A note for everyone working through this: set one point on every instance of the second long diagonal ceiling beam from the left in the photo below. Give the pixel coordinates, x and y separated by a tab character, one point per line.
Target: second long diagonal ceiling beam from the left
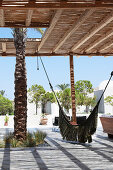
73	28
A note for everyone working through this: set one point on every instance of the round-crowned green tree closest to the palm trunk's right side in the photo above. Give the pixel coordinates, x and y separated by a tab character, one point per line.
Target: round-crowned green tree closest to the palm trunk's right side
36	93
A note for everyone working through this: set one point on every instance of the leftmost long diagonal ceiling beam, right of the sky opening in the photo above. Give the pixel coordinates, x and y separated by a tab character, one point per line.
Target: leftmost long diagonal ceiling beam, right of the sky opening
49	30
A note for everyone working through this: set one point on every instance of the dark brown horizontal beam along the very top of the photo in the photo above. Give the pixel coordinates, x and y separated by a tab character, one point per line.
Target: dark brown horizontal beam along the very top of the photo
56	5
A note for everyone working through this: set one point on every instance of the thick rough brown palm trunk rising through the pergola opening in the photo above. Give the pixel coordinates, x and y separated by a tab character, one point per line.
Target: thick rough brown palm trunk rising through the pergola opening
20	112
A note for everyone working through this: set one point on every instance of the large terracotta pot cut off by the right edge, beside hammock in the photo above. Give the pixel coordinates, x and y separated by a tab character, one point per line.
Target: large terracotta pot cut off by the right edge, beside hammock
107	124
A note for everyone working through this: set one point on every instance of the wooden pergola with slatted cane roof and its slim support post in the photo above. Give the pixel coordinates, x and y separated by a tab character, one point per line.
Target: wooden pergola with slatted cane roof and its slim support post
74	27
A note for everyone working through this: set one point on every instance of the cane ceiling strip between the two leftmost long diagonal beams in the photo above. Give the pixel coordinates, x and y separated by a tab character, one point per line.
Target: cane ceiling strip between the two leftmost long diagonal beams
63	25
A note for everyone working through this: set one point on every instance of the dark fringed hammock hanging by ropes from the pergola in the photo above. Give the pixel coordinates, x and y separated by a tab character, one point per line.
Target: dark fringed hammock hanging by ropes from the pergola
82	132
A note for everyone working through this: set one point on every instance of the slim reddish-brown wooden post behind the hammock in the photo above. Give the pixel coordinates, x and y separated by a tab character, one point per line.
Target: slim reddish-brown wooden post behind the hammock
72	90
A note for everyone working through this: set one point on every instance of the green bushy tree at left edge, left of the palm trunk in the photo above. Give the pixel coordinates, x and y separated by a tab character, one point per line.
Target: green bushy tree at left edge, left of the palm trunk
6	106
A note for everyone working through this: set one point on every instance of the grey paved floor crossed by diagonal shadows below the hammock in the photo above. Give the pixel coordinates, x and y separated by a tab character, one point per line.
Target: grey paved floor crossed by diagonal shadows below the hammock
60	155
